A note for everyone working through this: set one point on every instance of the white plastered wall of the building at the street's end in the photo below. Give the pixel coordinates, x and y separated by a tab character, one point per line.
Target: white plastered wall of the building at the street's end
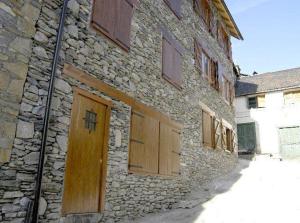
268	120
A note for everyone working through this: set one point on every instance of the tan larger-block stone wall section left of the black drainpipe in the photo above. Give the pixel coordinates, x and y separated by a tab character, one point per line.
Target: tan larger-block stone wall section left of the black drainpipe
17	27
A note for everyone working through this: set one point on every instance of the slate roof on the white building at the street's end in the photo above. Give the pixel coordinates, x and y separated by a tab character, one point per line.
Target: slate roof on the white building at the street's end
267	82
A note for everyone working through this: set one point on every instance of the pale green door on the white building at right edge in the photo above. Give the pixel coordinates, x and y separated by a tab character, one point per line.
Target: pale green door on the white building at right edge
290	142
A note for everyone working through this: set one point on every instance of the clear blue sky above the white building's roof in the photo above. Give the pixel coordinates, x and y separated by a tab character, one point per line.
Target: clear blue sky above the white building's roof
271	29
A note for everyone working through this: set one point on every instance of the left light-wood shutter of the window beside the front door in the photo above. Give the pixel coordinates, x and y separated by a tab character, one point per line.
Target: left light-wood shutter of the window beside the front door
144	143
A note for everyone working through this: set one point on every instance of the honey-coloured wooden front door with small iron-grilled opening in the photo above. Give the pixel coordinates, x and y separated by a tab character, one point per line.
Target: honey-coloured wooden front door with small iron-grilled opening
85	174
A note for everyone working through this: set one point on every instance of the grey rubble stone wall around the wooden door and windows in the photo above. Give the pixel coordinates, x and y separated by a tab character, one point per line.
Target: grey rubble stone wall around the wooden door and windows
137	73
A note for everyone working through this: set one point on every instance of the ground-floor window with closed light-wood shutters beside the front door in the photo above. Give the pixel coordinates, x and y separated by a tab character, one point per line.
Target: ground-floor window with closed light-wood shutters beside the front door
154	146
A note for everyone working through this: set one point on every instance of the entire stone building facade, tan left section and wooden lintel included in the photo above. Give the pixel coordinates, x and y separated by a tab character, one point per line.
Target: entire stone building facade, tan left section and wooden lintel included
28	36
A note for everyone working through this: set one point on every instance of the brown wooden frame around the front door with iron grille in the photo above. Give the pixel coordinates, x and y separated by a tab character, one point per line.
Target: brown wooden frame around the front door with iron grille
76	92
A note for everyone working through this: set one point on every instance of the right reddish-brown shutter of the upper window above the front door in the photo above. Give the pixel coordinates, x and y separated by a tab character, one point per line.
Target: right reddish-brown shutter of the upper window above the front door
124	12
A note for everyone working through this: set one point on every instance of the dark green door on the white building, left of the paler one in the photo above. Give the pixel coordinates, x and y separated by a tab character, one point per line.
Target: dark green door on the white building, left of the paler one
246	137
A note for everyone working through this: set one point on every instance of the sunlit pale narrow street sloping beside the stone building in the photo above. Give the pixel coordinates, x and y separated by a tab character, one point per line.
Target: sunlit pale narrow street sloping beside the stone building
262	191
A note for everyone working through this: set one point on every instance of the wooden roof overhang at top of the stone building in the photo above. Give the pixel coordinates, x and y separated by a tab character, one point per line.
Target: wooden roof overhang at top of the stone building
228	19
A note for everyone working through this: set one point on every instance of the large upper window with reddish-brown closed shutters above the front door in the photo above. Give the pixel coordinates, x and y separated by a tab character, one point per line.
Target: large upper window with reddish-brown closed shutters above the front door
113	19
